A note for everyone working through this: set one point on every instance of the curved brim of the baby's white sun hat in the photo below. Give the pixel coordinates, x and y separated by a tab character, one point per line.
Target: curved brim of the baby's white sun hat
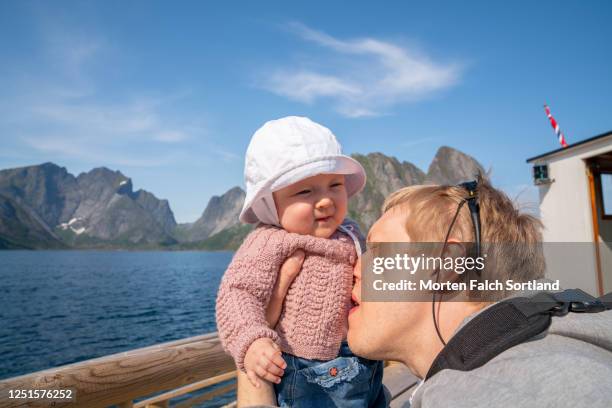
354	181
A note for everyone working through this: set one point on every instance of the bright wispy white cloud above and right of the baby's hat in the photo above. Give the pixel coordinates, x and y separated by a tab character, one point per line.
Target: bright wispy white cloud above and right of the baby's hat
376	76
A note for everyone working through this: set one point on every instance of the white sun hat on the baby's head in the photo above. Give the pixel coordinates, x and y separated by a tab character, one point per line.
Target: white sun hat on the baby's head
285	151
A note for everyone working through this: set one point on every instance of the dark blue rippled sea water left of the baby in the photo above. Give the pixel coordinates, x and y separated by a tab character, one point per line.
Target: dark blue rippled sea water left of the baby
61	307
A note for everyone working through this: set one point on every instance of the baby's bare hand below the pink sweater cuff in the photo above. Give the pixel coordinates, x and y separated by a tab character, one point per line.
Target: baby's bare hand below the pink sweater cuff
263	360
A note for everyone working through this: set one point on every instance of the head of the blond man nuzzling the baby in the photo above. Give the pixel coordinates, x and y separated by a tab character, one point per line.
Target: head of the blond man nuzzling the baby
405	330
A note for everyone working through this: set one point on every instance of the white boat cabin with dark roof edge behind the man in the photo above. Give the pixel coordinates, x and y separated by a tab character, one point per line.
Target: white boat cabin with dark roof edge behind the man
575	194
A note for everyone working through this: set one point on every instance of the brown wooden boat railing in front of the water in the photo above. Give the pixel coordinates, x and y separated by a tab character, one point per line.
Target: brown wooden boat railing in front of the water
158	373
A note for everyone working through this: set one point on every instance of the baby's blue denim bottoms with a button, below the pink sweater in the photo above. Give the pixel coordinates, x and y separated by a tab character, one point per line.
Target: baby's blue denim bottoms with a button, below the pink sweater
346	381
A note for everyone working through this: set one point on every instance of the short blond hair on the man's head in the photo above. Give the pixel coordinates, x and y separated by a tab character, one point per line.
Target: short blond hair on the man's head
430	210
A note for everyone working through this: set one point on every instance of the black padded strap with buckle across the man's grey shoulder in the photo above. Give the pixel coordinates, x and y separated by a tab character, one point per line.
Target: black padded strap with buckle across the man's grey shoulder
509	323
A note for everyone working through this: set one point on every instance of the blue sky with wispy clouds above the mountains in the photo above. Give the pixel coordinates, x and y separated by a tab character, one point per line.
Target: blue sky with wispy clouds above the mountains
169	93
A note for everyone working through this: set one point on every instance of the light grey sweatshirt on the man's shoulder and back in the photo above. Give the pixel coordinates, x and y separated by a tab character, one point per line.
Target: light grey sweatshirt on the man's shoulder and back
570	364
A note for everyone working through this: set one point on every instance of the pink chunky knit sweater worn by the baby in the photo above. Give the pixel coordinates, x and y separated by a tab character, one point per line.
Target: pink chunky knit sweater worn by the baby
313	321
